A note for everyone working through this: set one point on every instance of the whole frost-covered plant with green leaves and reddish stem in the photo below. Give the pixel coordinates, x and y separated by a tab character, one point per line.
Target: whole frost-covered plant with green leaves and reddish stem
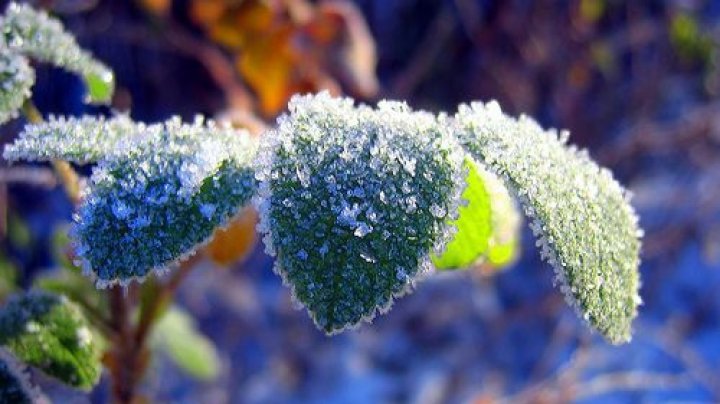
357	203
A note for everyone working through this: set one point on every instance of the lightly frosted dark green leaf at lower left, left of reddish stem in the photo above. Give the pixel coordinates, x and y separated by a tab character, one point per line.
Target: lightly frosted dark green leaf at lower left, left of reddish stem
49	332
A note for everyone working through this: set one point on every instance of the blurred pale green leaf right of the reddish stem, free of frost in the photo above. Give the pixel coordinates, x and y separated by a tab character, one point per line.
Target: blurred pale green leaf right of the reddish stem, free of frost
176	335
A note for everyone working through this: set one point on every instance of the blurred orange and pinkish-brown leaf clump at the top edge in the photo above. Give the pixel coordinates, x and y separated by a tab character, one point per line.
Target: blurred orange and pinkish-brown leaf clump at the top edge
282	48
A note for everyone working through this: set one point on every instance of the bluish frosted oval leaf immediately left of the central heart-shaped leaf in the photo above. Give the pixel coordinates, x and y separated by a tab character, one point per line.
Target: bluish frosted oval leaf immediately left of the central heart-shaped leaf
159	195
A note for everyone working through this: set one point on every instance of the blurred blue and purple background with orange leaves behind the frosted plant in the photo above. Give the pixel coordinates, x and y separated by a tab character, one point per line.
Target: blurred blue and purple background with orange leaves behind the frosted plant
636	83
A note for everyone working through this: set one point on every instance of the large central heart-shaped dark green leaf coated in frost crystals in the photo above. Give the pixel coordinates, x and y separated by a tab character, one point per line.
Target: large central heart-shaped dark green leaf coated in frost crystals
352	200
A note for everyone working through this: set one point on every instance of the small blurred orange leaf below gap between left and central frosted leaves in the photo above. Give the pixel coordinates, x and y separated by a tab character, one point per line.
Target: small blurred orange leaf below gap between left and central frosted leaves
236	241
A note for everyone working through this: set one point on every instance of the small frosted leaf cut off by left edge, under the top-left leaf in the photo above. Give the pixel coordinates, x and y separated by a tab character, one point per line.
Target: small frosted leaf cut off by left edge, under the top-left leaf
16	79
